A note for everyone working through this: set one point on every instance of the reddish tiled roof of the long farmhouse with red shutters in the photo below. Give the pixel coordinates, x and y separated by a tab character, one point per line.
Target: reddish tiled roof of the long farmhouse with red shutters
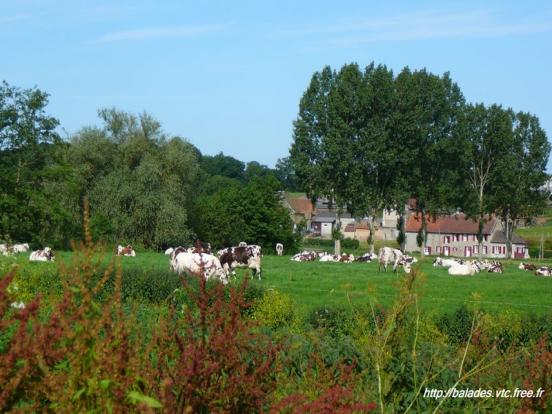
456	223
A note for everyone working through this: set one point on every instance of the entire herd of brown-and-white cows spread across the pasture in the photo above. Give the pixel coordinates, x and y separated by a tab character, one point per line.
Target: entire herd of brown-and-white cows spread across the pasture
200	260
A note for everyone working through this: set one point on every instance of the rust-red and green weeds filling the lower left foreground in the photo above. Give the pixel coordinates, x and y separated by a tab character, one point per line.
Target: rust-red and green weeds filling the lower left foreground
90	353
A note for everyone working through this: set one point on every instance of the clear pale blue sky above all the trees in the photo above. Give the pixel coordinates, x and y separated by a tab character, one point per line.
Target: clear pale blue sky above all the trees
228	75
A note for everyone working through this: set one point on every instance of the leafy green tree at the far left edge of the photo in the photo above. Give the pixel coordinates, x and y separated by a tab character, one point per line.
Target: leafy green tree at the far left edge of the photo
37	199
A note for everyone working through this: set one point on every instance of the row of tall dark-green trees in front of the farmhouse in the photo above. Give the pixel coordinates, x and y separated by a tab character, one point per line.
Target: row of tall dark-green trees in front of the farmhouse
370	139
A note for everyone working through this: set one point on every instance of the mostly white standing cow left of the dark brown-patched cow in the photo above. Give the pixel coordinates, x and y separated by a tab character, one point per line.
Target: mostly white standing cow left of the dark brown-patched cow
198	264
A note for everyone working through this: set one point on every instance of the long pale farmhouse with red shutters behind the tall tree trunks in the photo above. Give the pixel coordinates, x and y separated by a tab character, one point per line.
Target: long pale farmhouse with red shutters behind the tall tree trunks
456	235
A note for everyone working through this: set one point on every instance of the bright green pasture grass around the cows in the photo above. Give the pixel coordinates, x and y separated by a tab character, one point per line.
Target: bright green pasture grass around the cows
315	284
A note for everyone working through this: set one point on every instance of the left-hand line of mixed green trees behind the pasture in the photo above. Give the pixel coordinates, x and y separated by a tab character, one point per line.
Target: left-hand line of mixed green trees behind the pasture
143	186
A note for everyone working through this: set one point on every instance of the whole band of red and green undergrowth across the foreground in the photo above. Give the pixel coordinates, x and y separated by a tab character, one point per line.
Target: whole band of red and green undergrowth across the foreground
95	337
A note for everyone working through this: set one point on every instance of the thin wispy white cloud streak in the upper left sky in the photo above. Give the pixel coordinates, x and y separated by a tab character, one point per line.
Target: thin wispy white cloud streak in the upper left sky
160	32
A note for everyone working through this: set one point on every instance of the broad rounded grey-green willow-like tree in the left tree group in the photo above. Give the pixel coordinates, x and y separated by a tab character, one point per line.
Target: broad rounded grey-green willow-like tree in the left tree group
138	181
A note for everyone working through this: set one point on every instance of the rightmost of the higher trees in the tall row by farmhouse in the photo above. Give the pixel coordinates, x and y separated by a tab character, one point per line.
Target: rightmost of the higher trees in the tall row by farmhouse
427	119
